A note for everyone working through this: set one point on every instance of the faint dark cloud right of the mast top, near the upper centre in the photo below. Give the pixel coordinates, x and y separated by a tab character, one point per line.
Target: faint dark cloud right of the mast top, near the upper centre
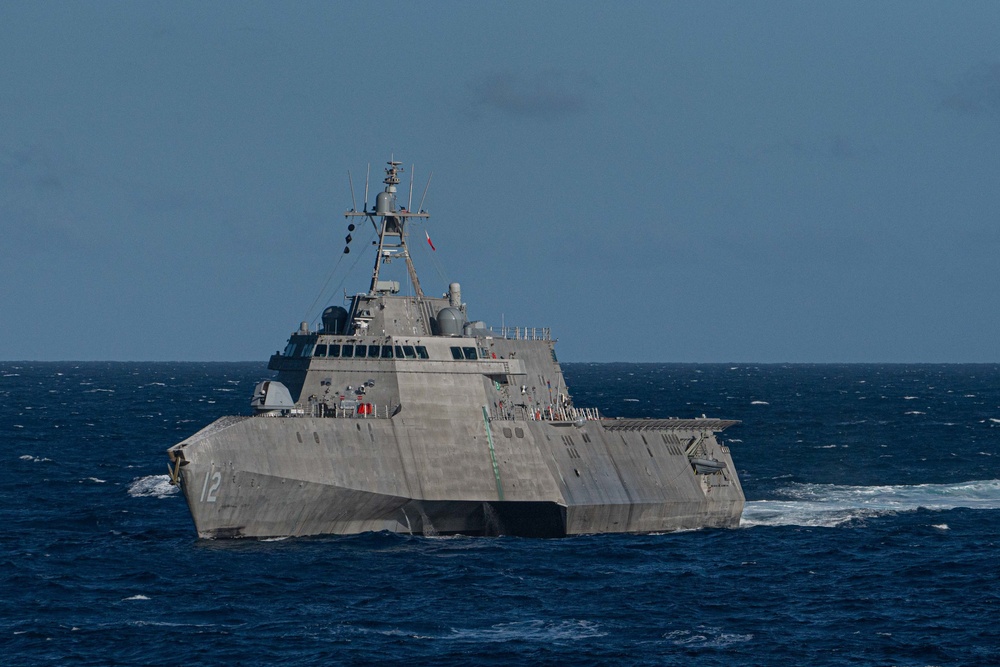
547	95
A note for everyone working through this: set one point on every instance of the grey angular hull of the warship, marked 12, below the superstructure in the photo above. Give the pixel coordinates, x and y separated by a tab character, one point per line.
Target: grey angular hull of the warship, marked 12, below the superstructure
267	477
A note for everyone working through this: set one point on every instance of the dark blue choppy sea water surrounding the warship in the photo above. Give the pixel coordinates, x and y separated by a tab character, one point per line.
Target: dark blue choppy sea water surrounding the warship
870	536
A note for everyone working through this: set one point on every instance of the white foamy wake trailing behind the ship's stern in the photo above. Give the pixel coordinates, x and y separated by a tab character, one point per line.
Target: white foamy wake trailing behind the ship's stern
833	504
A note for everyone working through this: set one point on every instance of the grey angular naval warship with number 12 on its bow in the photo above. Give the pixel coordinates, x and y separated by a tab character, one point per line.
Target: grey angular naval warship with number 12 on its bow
399	413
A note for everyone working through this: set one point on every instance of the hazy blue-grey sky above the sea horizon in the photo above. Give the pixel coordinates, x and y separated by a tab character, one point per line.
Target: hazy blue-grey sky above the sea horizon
763	182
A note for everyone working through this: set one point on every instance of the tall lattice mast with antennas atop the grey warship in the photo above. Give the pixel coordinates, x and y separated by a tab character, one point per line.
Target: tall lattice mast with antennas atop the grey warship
391	228
